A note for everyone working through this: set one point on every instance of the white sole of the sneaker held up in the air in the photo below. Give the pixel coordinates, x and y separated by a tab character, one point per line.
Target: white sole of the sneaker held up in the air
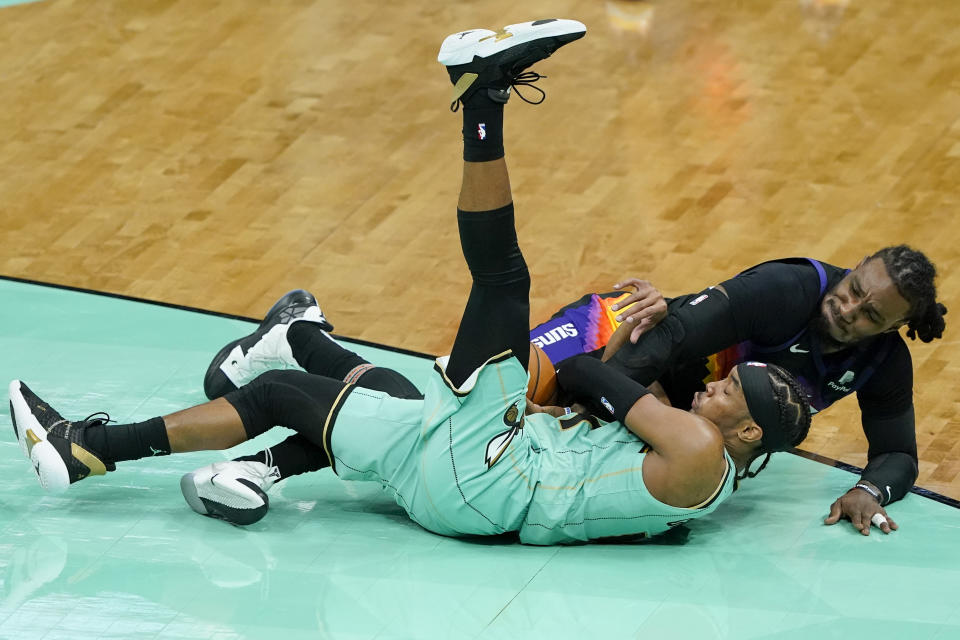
454	51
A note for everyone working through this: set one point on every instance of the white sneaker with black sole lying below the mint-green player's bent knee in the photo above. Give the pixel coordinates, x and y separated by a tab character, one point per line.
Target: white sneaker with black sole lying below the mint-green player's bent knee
235	490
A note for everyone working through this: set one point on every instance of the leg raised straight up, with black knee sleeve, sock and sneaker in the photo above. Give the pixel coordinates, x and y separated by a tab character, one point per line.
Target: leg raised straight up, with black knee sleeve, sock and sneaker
484	66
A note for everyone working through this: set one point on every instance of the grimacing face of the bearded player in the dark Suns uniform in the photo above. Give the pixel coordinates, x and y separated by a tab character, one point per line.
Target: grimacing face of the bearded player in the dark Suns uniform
865	303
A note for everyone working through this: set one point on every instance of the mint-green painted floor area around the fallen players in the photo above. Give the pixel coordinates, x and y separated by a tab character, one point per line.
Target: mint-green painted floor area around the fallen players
124	557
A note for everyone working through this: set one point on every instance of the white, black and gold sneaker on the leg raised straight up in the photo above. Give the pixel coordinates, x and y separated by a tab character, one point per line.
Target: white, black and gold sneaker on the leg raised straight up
494	61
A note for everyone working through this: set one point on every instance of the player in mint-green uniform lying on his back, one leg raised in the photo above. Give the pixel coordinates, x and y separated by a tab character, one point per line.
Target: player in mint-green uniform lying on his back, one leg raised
465	459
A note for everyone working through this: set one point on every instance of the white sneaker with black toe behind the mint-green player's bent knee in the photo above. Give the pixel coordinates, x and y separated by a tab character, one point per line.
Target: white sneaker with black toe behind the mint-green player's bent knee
265	349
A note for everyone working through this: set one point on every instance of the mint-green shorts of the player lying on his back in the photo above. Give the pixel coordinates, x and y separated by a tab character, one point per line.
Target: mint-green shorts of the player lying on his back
457	461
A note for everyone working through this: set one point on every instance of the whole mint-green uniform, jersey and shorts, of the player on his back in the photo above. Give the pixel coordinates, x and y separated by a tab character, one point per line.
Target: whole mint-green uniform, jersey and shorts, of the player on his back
468	462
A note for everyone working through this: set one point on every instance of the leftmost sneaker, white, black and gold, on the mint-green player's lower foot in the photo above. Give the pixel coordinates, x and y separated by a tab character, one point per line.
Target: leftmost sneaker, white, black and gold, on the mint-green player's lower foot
55	446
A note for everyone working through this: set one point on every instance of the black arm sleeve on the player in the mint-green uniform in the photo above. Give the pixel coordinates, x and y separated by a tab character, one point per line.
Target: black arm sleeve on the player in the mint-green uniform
599	385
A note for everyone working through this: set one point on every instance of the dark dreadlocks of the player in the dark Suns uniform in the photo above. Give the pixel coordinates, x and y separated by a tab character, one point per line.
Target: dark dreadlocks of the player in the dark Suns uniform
913	274
